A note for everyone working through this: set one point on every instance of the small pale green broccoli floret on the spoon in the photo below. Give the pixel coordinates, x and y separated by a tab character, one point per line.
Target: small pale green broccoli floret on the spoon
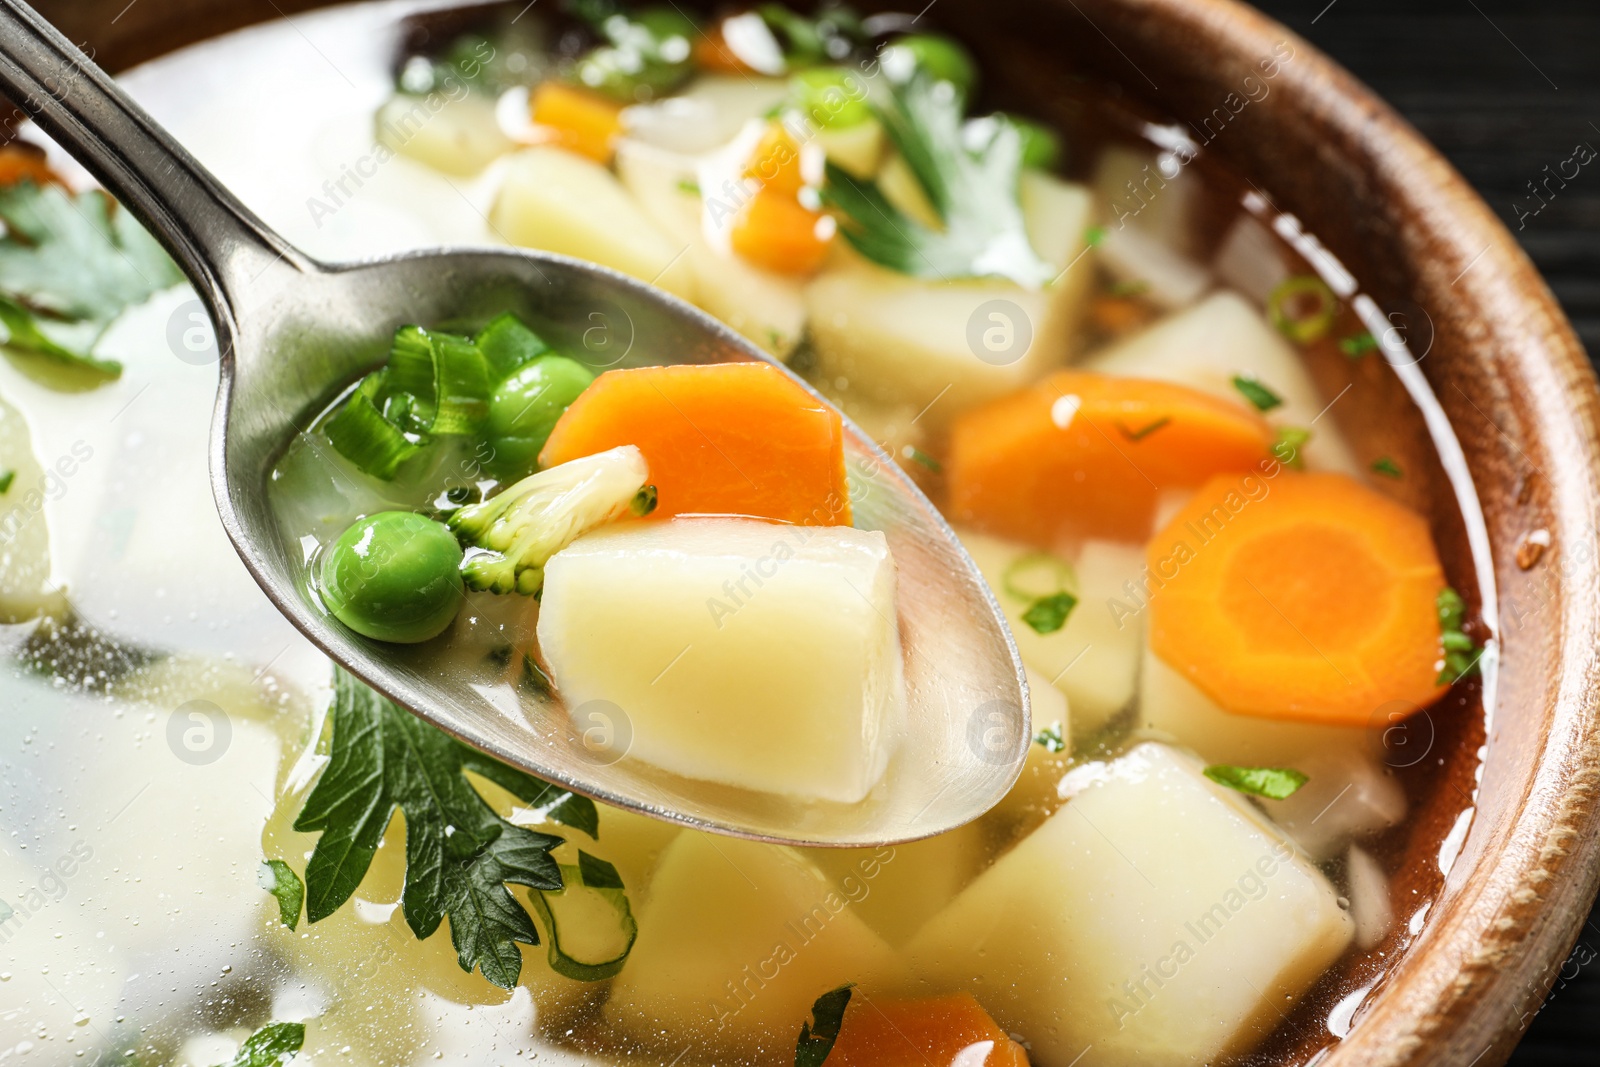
513	535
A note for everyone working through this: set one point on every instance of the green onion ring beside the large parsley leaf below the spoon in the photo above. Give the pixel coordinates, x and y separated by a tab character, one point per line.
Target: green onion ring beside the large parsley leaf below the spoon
590	922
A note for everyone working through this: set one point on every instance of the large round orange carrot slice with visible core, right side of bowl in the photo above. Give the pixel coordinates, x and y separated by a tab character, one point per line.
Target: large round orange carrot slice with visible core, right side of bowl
1303	597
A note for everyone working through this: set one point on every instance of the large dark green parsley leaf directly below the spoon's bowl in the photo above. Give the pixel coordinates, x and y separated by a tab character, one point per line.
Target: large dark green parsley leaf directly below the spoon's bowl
460	853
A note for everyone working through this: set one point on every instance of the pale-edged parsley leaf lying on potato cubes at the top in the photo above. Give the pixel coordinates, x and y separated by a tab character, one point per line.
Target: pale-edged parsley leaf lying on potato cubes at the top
970	174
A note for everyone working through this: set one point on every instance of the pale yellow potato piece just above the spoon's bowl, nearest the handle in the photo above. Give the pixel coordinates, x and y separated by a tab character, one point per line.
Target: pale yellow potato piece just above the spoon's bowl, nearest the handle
562	202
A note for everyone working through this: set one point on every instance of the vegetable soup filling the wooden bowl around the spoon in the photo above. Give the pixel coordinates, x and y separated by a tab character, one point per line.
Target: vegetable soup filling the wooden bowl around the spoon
1119	372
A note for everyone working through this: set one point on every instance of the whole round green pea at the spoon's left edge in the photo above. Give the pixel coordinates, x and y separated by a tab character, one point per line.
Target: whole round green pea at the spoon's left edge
394	577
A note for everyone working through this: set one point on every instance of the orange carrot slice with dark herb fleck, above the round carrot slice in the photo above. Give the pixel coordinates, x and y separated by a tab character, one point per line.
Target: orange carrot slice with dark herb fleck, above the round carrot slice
1084	455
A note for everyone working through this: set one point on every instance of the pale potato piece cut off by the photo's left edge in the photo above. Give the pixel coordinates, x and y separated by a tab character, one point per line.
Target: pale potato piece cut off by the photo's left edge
26	588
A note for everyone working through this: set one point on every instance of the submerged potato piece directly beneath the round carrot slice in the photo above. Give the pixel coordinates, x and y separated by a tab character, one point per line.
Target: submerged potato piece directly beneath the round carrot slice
1175	709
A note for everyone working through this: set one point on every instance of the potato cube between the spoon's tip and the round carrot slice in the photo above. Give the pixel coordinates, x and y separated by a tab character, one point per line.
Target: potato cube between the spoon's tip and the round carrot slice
1095	657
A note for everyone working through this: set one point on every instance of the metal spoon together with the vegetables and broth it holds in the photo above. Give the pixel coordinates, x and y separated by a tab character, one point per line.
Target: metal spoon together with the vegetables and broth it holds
570	519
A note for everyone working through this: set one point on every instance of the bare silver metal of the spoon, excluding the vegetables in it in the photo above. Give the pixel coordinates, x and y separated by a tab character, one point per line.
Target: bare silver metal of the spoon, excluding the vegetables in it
294	334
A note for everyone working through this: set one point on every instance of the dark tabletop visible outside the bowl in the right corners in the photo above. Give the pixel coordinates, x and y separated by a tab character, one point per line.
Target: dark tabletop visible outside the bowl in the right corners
1505	89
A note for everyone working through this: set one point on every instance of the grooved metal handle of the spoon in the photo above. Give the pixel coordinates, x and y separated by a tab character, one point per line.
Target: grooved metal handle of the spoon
217	241
